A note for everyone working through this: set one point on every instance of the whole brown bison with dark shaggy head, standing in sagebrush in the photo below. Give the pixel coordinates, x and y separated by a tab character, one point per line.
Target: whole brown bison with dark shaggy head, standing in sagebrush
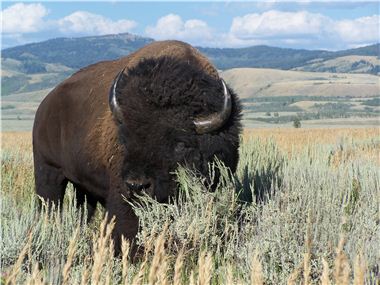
121	127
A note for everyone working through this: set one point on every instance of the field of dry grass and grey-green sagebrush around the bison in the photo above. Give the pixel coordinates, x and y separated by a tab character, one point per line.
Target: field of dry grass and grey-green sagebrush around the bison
303	208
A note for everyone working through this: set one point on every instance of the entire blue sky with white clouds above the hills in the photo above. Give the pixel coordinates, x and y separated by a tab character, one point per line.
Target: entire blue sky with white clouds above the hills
311	25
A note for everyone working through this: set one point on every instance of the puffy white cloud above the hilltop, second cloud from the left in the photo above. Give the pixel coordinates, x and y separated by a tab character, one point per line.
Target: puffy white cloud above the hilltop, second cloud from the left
82	22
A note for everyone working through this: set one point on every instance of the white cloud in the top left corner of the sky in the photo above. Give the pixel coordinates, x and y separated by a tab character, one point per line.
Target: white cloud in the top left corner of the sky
23	18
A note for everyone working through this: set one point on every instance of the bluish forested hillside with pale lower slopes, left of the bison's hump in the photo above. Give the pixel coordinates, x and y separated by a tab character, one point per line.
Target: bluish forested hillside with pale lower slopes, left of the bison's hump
37	66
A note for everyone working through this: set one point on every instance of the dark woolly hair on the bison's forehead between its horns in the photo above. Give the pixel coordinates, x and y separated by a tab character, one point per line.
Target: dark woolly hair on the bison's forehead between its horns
172	87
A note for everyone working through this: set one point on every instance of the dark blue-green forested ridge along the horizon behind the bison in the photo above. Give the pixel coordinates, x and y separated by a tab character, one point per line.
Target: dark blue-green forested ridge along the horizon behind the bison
79	52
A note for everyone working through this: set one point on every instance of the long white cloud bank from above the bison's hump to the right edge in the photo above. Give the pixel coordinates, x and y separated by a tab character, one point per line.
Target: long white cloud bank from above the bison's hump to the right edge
301	29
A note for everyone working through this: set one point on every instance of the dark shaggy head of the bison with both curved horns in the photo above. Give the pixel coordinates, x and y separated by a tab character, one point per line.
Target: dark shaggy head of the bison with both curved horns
171	112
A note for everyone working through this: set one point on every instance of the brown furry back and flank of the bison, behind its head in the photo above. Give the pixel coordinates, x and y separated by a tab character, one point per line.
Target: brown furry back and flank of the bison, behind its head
74	128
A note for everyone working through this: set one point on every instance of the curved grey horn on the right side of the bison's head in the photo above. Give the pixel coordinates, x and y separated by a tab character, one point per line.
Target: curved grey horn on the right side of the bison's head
217	120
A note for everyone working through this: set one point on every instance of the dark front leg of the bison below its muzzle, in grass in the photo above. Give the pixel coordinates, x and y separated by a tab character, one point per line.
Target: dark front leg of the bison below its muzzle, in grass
126	222
